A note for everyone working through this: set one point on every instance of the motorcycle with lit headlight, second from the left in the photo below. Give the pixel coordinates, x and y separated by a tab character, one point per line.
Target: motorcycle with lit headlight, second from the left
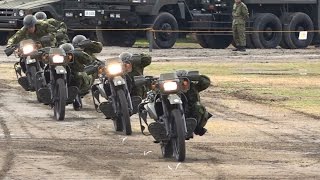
57	74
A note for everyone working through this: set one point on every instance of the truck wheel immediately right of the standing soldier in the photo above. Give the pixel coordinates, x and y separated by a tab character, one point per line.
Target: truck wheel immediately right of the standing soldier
268	23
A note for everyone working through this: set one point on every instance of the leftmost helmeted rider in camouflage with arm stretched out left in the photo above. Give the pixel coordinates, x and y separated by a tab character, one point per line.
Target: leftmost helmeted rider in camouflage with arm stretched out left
35	30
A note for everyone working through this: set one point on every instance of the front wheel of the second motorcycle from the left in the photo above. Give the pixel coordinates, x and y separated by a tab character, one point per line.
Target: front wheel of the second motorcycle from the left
60	99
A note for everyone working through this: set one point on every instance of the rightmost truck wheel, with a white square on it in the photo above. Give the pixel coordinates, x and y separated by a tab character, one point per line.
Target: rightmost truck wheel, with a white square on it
298	22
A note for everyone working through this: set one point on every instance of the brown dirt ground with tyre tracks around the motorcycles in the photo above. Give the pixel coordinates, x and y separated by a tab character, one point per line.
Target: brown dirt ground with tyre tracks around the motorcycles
246	140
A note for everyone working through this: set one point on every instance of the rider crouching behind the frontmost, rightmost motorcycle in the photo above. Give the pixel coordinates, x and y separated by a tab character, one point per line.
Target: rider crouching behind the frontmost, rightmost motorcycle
193	106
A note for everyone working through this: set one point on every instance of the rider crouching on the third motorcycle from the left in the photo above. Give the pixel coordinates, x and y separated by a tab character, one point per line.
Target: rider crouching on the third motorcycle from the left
139	62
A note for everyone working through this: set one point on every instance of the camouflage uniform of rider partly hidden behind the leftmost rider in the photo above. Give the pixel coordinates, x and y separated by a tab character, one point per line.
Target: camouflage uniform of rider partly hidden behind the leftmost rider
61	28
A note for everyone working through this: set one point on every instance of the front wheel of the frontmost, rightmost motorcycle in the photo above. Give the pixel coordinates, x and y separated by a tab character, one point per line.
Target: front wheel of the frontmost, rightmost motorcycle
178	142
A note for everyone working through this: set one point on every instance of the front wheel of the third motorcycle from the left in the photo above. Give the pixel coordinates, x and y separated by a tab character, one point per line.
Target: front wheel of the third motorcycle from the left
124	114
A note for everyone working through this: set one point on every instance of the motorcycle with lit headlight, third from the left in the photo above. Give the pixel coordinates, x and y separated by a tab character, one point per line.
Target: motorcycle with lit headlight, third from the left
113	87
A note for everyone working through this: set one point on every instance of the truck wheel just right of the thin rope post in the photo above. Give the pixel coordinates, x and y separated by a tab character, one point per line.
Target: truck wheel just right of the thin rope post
165	40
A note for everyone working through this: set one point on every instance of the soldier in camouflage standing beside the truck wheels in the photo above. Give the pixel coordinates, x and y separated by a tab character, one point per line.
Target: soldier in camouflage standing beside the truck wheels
240	14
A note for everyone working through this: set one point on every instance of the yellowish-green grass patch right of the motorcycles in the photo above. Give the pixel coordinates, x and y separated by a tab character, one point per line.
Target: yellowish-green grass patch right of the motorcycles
291	85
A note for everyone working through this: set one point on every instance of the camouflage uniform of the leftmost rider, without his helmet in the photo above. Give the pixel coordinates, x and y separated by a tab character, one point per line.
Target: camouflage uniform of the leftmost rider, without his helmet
42	29
